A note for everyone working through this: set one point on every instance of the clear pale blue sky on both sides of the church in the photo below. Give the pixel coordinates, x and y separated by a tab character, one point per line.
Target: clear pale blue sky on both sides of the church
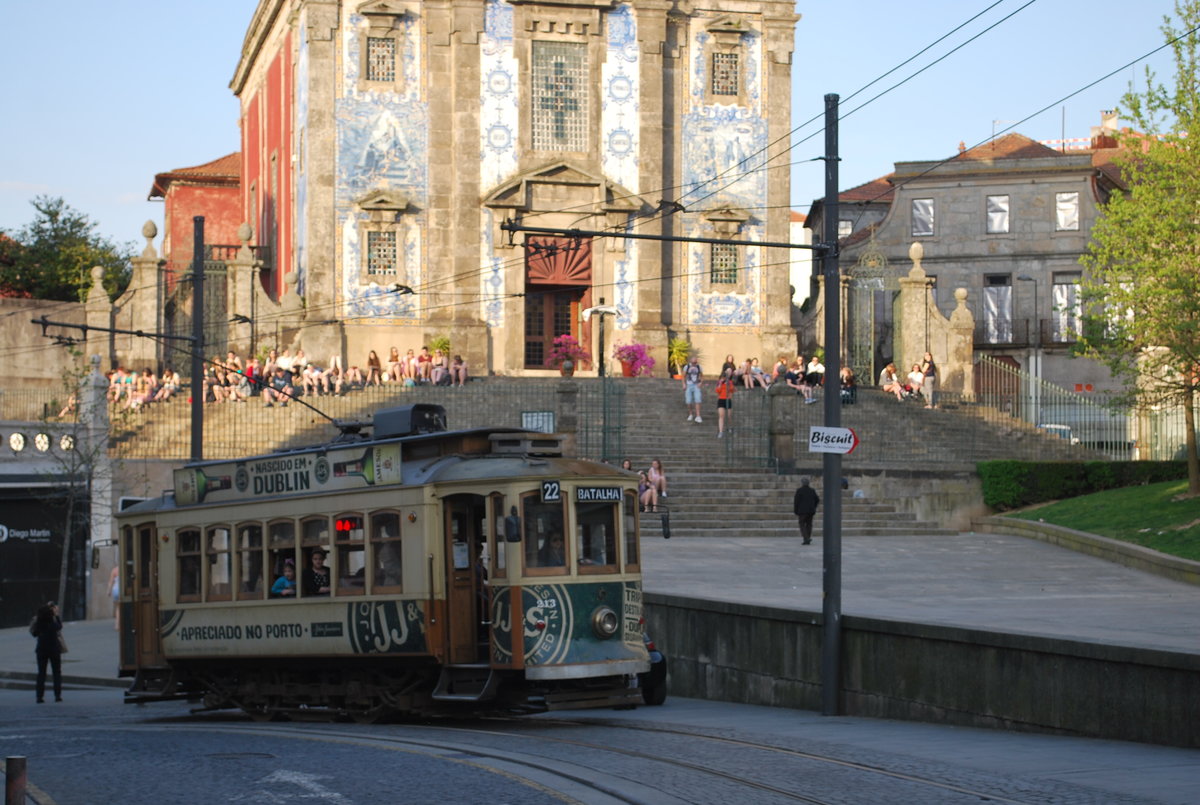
106	95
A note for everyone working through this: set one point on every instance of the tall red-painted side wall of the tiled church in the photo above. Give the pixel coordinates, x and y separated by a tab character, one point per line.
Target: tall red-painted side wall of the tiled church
268	127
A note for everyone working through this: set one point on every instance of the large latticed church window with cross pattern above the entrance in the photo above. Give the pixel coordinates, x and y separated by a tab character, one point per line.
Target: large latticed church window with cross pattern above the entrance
560	97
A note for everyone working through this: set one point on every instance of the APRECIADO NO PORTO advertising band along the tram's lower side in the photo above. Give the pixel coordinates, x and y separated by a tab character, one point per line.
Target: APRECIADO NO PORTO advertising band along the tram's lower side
298	629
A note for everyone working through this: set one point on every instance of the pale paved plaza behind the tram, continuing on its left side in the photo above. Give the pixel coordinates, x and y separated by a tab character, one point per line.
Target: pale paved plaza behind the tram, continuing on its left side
982	581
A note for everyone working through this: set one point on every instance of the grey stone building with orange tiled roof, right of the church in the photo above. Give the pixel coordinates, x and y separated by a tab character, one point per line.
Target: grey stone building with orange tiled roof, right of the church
1009	223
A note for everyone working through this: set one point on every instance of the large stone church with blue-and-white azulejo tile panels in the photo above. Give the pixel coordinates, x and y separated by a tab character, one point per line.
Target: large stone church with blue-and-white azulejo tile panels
383	145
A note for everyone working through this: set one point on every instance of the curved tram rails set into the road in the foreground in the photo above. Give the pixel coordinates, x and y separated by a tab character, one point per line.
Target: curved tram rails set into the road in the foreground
592	783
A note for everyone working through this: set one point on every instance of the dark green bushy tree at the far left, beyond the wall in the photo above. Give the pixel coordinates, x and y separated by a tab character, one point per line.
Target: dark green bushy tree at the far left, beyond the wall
53	256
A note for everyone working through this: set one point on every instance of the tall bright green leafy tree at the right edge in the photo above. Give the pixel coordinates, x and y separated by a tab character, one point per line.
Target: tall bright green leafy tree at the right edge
1142	290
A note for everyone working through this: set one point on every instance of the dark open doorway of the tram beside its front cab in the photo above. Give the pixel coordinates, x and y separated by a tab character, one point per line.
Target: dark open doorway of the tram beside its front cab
466	603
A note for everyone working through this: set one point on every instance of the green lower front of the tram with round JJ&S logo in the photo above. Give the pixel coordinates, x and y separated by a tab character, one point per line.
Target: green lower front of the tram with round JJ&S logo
565	612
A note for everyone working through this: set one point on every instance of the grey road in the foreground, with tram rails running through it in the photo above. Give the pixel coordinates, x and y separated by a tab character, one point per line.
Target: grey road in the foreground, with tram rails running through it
93	749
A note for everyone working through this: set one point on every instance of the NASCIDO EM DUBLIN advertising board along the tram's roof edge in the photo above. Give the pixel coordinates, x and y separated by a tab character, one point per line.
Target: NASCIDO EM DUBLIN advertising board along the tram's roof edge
301	473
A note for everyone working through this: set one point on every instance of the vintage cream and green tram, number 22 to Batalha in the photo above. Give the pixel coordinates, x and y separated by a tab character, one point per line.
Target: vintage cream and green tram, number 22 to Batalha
431	570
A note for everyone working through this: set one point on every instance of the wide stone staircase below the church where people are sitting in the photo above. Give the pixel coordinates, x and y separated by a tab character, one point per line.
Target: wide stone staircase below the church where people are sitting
717	486
